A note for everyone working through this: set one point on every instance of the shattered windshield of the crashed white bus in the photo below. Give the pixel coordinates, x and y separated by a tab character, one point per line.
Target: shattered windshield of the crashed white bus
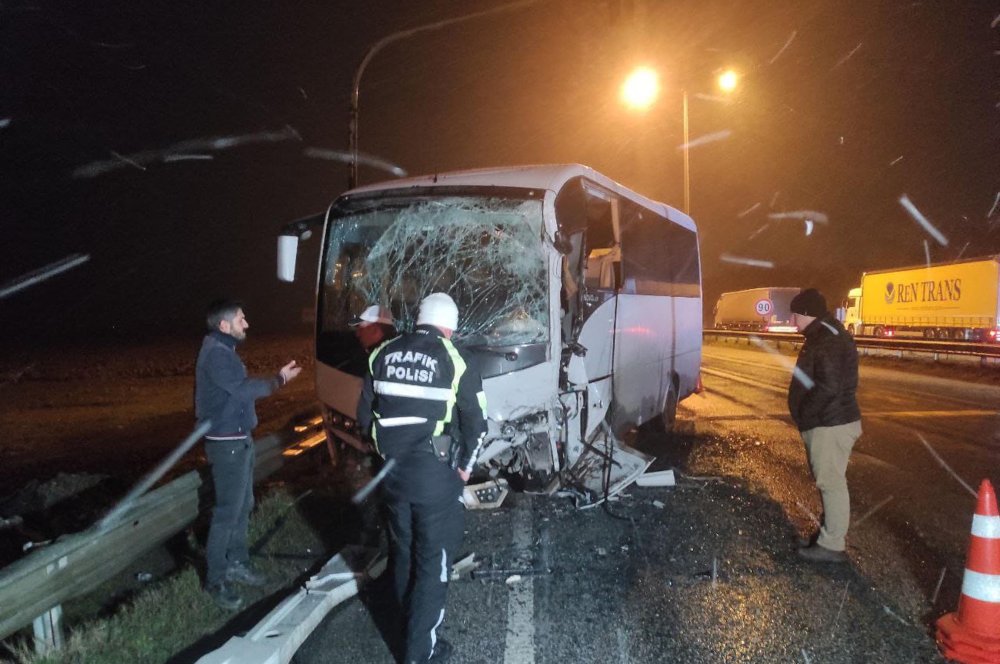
484	251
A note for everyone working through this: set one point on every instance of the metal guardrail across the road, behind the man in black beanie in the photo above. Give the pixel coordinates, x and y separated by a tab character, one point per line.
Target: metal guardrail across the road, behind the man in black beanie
957	352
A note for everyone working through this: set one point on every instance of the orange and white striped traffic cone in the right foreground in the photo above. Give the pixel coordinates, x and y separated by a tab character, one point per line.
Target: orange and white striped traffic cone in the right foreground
972	634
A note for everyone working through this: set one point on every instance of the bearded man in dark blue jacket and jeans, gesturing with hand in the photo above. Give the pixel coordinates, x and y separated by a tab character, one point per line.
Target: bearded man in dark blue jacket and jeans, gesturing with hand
225	395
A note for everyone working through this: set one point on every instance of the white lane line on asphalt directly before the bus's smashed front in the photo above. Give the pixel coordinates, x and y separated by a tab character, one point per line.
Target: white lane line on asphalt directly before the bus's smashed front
519	647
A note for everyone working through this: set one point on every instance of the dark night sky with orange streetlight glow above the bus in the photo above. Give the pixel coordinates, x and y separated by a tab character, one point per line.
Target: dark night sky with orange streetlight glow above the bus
844	106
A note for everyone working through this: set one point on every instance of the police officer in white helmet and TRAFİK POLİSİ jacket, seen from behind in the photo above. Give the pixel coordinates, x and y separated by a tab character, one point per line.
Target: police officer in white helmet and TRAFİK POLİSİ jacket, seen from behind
423	405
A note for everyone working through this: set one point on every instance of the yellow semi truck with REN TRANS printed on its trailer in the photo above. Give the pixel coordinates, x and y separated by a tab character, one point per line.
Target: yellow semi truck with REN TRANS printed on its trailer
958	300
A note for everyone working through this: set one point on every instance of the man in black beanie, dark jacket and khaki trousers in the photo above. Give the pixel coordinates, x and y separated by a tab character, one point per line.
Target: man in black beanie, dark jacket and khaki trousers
823	405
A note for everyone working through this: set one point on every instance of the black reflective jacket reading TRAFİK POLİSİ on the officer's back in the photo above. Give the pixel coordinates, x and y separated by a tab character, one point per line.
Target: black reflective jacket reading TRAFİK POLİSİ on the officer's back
418	386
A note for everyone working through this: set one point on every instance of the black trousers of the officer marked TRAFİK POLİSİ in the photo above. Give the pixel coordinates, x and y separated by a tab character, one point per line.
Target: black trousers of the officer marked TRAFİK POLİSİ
424	539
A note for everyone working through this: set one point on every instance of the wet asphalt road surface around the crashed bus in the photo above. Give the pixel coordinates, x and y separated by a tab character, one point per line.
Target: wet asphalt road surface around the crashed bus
705	571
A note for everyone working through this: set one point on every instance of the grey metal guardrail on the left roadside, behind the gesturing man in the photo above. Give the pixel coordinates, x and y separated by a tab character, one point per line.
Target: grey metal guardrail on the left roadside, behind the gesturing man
77	563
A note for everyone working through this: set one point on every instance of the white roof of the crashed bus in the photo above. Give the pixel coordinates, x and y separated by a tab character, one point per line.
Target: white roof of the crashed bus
550	177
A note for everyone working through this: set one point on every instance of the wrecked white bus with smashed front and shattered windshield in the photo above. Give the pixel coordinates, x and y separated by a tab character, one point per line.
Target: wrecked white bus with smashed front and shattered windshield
580	298
